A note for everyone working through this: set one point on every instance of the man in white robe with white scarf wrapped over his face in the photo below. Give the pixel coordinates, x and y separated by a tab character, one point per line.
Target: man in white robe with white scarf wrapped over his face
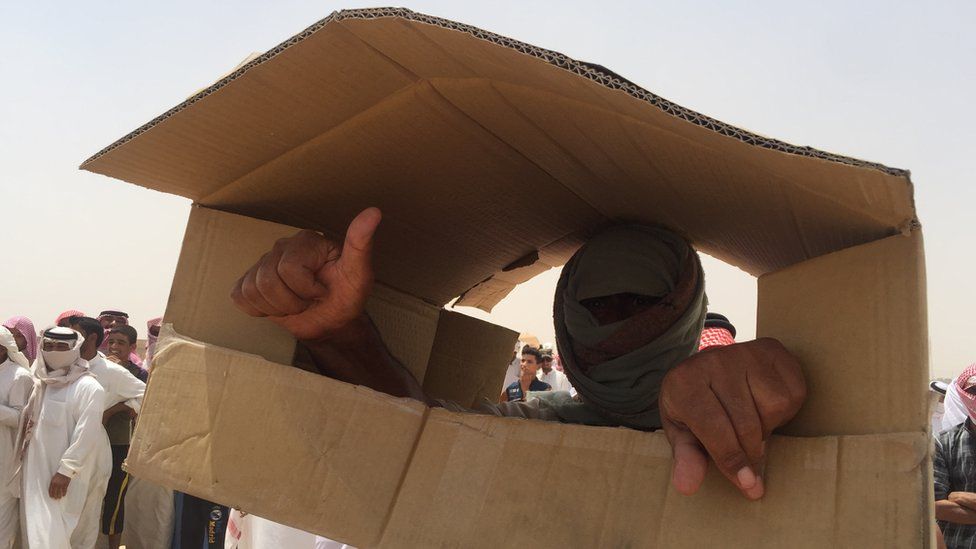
62	443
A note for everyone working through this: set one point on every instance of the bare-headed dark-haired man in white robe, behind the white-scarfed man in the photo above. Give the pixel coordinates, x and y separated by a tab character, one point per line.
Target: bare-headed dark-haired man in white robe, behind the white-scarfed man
123	395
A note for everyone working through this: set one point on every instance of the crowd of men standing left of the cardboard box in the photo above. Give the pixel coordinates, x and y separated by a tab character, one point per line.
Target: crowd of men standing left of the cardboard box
69	398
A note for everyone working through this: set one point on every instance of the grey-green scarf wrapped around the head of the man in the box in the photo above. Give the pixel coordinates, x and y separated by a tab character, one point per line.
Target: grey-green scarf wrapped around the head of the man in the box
617	368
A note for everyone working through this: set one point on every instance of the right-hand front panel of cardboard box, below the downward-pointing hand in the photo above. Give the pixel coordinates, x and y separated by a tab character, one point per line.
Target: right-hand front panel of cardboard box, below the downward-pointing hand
496	457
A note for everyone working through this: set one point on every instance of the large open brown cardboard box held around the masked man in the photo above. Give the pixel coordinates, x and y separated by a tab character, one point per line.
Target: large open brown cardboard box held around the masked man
459	135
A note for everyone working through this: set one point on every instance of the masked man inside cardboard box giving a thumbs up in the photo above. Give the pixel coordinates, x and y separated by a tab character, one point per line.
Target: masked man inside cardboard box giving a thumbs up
628	312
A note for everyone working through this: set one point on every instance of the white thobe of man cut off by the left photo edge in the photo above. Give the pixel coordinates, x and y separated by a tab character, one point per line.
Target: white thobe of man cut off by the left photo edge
16	384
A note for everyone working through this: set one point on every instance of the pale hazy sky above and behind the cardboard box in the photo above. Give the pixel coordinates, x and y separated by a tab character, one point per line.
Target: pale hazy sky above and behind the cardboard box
890	82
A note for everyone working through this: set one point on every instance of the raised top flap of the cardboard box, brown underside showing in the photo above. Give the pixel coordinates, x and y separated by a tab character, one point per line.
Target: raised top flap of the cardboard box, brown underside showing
458	135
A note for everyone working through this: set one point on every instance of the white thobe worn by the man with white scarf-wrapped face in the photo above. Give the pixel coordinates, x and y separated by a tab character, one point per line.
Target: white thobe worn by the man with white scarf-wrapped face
68	439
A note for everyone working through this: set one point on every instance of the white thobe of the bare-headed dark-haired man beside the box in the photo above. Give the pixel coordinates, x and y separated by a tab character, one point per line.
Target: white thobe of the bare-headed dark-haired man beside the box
120	386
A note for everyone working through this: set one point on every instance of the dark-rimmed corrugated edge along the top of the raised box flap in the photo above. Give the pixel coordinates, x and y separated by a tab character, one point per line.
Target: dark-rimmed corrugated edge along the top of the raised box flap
590	71
